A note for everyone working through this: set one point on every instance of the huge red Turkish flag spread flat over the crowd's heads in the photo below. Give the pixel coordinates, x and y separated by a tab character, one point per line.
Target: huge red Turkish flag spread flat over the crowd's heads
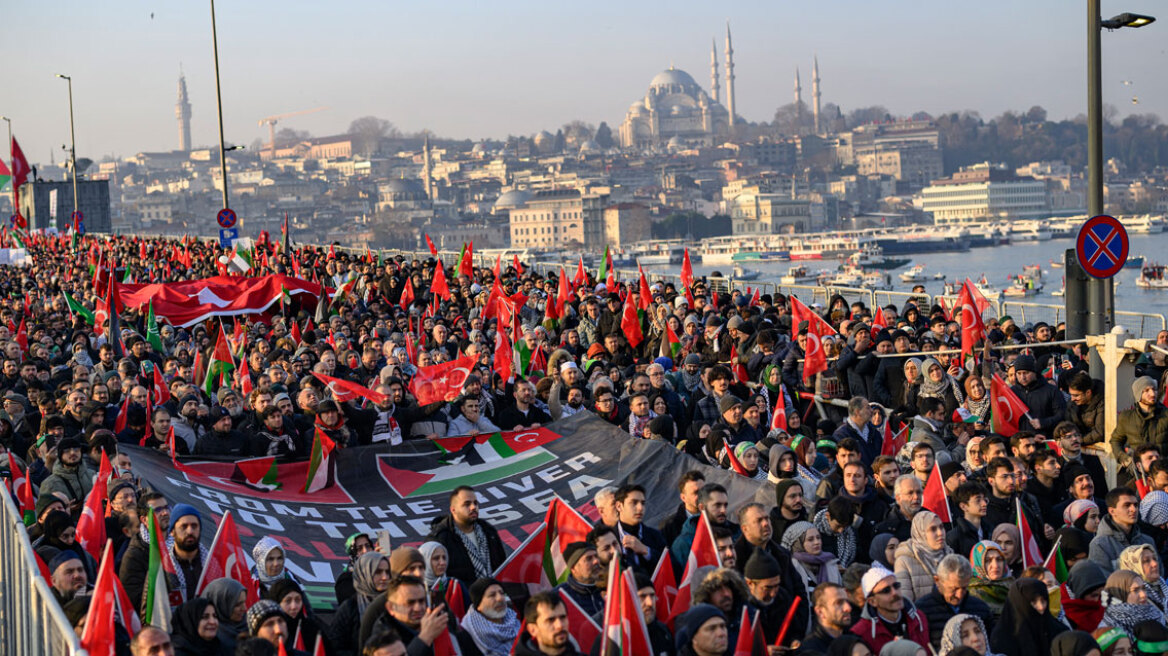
189	303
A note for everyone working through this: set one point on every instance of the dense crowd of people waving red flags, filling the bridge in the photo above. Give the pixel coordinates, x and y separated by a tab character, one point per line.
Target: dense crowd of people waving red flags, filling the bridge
845	562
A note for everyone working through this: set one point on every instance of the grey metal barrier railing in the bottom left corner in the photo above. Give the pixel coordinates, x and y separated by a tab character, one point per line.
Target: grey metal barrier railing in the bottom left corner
31	620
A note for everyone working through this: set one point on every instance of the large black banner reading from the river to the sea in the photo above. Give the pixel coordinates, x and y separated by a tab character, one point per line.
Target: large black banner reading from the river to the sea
404	490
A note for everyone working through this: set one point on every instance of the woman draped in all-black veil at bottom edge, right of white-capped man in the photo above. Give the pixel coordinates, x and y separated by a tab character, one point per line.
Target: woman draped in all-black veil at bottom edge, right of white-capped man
1026	627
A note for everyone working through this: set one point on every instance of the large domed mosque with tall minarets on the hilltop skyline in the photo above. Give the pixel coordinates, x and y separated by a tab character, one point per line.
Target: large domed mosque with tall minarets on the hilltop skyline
677	113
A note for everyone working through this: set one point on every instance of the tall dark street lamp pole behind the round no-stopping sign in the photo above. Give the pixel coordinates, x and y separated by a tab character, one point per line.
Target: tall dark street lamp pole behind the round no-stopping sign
1101	294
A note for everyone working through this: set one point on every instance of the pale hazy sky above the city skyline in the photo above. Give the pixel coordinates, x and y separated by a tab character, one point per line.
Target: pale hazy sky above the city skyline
491	69
